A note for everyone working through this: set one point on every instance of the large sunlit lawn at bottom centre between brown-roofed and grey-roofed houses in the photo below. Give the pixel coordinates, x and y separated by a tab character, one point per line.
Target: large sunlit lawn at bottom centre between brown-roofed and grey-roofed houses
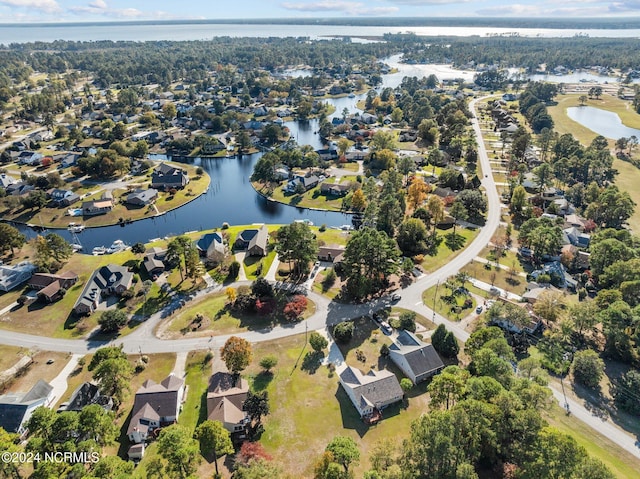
309	408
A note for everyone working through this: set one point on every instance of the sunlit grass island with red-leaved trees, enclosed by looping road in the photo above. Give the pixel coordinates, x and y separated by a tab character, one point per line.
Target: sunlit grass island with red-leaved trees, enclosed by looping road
218	319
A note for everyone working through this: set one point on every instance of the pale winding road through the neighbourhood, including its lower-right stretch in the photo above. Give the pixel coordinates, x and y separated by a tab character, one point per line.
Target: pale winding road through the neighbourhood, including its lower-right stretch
328	313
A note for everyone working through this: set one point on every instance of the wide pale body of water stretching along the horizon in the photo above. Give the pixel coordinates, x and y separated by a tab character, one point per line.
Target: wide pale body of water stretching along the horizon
145	32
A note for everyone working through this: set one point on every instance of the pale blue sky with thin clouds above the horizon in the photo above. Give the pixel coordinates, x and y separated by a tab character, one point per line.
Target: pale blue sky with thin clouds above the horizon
29	11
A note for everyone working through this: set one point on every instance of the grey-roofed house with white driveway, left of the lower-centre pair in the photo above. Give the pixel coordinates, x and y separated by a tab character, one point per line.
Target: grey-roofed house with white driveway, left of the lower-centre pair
372	392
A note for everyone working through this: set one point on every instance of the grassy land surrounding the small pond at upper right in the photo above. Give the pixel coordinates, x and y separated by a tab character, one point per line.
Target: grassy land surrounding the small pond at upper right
629	175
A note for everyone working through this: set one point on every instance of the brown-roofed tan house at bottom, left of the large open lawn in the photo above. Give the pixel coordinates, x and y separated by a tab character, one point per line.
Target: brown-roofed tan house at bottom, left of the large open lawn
225	402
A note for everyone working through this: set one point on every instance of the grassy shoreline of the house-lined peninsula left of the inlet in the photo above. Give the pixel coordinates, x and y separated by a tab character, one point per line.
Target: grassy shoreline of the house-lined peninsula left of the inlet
56	217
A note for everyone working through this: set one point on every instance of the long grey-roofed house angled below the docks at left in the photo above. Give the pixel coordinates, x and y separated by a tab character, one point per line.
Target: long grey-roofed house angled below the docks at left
107	280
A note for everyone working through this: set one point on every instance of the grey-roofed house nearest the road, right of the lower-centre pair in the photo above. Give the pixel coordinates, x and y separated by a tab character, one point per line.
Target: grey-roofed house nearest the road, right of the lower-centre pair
417	360
